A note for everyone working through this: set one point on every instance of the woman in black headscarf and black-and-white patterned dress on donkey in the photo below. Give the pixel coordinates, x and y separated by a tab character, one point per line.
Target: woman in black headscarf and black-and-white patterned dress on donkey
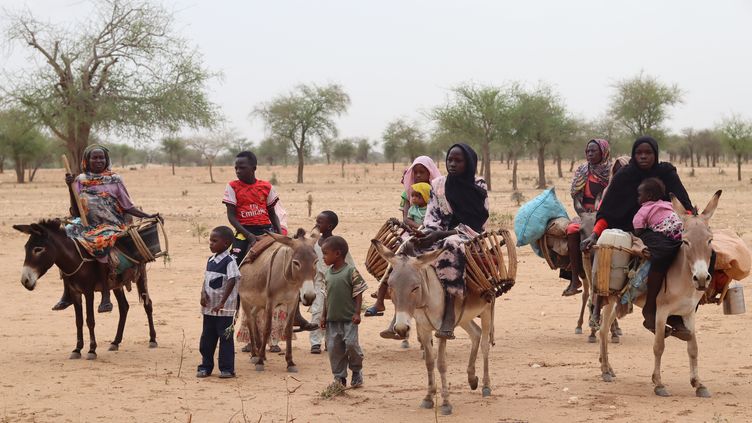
456	213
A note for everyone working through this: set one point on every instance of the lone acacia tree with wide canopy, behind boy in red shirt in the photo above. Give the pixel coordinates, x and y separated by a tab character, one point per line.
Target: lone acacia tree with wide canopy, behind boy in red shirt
305	114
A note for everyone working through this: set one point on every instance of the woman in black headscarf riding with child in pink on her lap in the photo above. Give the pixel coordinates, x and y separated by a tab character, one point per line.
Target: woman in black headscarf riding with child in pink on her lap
619	207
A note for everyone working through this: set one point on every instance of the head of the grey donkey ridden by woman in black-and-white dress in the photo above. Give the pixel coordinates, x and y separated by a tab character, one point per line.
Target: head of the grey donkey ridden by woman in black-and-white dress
407	283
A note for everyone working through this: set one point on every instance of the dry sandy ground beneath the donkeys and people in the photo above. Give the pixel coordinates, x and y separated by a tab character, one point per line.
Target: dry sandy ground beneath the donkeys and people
540	370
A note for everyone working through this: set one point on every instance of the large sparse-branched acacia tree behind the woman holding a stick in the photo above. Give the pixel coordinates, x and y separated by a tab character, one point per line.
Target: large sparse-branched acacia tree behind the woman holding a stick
122	68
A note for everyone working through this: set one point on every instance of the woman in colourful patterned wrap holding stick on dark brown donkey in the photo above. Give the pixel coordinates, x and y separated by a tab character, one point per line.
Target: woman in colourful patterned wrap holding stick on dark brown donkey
105	203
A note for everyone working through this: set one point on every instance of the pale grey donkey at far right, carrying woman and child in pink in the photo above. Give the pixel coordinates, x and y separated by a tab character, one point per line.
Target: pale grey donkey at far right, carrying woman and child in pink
686	282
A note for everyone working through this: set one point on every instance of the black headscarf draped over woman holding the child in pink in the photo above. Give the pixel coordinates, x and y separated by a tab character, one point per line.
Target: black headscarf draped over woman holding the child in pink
620	204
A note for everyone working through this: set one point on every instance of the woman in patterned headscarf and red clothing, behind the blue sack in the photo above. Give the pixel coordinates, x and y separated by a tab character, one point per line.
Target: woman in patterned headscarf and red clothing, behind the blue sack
590	181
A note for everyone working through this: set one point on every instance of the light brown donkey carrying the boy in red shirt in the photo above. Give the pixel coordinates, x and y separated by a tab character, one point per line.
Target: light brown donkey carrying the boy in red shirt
281	275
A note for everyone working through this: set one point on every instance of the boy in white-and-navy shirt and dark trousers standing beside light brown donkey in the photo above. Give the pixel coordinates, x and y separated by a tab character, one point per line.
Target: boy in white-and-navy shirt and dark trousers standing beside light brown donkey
219	299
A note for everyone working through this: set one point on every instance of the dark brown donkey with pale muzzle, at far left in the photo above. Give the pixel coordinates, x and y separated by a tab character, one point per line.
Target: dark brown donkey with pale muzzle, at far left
47	245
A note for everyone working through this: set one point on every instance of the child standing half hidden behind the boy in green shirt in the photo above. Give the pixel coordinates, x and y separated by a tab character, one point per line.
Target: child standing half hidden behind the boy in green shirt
326	221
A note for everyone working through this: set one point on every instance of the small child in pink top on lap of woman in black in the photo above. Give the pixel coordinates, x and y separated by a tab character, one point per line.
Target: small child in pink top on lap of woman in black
656	214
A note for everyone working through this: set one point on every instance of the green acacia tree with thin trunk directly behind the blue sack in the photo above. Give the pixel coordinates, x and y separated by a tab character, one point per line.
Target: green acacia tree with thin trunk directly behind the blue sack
543	121
